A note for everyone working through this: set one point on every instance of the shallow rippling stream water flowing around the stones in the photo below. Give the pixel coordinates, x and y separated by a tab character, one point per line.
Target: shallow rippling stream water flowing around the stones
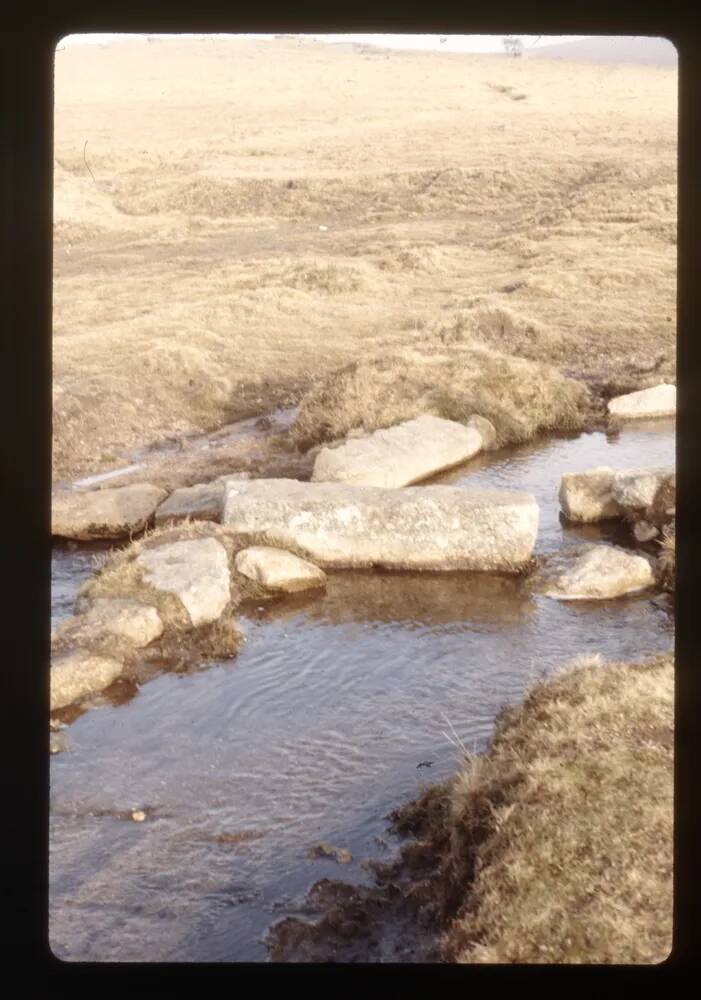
314	732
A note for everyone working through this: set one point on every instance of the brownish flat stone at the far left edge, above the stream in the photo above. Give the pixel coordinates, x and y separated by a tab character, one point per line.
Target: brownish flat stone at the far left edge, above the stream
113	513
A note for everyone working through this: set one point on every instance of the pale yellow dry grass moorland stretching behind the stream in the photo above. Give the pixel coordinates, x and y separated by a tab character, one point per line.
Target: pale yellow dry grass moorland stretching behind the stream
258	213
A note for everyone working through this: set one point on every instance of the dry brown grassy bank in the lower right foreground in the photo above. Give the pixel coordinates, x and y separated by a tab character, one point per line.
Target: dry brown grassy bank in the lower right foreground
556	846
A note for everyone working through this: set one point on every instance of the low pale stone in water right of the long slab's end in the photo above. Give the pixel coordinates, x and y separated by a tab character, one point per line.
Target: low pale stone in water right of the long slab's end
601	573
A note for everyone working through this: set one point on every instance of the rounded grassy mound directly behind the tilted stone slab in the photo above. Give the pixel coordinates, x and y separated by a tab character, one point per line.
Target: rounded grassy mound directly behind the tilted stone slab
522	398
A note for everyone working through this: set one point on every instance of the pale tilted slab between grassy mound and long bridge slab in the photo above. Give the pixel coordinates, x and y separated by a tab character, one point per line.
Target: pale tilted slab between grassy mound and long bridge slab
400	455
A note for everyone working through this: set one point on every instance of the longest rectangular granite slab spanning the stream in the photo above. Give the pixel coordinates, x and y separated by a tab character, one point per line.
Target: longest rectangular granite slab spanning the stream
422	527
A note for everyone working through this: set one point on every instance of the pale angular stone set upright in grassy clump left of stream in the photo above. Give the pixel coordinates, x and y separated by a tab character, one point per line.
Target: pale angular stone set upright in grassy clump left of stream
195	570
